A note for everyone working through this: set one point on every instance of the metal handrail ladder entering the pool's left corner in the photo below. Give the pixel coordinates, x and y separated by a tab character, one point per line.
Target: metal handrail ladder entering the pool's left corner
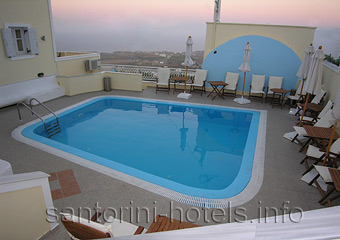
51	128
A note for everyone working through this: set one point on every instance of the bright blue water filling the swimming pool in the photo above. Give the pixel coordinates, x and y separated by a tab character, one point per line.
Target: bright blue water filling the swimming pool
196	150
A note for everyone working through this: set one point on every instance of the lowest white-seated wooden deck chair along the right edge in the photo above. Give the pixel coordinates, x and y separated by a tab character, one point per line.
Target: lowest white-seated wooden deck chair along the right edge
324	173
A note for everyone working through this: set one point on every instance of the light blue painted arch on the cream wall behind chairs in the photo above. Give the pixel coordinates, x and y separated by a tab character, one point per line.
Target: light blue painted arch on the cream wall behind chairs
268	57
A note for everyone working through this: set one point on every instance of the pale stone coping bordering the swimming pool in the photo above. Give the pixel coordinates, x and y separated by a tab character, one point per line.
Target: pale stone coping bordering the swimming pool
246	195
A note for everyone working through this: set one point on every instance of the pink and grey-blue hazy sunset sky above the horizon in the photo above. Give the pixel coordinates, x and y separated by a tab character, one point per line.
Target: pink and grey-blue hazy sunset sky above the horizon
156	25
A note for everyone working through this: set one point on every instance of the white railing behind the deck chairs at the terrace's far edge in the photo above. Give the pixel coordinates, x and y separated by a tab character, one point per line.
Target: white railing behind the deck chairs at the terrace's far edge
148	73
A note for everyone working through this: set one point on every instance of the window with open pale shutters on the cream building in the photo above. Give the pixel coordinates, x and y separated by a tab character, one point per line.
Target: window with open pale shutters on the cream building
20	41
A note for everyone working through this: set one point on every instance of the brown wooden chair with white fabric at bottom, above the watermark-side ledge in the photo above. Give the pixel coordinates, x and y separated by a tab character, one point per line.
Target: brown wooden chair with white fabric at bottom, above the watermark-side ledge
80	228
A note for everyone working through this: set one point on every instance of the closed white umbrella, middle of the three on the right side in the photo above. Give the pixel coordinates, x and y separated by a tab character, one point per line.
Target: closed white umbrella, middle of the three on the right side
314	76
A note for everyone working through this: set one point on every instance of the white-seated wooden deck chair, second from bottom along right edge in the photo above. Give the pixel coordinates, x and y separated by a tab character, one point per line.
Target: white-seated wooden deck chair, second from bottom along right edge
317	155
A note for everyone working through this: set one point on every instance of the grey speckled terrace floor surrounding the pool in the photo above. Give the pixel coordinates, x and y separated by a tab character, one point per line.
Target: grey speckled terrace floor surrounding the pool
281	181
